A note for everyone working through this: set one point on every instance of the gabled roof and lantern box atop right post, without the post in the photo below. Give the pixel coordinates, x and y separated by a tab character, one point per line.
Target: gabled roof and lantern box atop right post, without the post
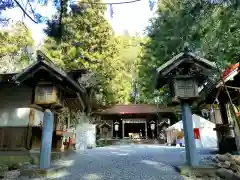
185	74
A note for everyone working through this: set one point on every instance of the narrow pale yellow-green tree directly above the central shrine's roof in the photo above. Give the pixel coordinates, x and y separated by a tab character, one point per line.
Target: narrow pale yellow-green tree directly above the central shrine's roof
129	49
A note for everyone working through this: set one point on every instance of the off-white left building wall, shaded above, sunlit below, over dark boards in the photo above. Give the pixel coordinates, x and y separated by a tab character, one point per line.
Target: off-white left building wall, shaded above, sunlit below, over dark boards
14	103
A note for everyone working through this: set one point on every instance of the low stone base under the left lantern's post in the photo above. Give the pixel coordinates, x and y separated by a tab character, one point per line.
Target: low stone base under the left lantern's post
37	172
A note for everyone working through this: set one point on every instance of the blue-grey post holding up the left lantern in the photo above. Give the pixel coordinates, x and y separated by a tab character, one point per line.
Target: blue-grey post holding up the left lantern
46	145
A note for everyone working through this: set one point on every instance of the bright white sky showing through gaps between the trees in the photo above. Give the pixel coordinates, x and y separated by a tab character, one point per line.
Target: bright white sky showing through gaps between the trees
133	17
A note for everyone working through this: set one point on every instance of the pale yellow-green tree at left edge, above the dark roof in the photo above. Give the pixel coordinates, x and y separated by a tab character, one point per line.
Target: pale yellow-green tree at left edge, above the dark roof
16	48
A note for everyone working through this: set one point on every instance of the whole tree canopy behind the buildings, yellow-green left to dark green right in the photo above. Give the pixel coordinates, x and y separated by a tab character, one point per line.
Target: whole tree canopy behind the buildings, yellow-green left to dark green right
126	64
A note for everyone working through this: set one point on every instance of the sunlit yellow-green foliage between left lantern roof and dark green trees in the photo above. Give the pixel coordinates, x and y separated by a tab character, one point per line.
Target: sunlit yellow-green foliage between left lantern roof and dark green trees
88	41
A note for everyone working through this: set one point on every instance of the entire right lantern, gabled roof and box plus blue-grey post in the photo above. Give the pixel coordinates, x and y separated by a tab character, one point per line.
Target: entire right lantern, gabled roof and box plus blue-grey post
186	74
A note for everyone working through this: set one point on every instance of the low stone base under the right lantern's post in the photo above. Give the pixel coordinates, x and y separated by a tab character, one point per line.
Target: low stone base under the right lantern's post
198	171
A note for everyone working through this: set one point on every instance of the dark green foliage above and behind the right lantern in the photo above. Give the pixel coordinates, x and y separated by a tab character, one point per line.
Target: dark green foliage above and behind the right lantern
209	30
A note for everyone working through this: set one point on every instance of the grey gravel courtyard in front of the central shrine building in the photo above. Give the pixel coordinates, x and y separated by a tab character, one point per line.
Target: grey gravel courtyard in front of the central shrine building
129	162
